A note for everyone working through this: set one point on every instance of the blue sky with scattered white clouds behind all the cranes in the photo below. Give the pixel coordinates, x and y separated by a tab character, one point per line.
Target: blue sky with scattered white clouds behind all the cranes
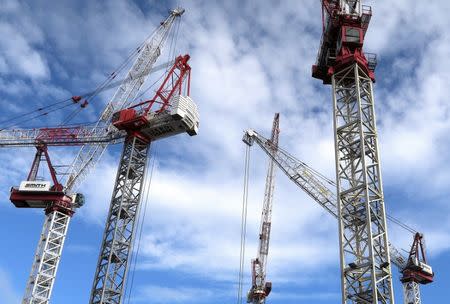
249	60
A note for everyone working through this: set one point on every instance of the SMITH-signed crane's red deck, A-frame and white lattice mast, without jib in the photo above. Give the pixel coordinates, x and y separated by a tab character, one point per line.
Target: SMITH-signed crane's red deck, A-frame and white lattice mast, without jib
59	209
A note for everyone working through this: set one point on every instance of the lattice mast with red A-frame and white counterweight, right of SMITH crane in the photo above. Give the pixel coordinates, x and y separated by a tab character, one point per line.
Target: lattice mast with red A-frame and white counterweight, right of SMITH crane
176	114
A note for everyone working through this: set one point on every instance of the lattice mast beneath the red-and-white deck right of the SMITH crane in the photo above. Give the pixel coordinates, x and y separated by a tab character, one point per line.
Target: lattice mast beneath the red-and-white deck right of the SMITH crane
112	267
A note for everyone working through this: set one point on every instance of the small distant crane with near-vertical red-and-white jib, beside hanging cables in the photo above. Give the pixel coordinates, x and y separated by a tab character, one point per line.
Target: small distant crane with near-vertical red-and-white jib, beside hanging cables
260	287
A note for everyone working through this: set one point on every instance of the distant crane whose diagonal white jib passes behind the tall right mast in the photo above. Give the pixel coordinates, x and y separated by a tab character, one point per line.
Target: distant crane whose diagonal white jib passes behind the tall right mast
414	269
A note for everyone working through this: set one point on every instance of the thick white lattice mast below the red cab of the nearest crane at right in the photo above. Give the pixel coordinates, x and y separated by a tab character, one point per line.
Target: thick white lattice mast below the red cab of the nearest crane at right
365	263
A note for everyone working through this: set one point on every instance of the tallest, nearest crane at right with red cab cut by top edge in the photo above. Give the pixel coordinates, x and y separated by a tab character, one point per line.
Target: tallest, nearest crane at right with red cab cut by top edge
366	275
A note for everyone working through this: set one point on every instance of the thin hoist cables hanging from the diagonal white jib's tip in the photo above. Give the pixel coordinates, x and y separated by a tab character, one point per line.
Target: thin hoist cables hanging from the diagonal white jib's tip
243	225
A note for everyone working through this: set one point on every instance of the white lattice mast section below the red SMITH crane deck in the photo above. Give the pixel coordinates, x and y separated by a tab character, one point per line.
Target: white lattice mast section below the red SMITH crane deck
47	257
